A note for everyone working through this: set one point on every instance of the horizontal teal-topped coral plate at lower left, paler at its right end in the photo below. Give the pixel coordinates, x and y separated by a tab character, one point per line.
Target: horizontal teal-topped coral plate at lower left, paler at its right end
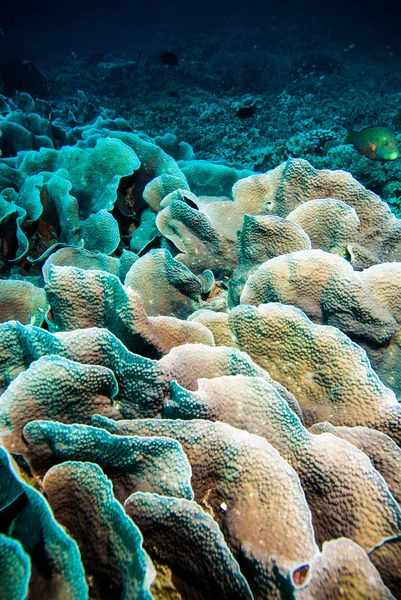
155	465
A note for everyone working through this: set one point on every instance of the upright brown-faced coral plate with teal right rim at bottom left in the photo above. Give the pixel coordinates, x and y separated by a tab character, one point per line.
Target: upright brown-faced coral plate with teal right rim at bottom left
80	495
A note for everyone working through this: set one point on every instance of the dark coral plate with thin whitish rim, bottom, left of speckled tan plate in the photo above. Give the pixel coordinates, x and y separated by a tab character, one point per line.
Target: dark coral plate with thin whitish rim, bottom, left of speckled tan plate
182	535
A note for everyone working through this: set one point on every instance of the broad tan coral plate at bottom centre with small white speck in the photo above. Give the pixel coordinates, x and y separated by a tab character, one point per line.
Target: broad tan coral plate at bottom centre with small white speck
241	478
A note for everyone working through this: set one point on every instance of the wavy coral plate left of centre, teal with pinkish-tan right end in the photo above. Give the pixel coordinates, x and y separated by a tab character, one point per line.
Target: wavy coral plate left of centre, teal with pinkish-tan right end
98	299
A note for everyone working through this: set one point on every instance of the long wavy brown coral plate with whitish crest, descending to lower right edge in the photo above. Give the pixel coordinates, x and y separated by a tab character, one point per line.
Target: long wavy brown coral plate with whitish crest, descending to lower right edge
325	466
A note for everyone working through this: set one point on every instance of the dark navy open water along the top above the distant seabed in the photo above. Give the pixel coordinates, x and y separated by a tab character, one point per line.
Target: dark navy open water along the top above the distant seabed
37	30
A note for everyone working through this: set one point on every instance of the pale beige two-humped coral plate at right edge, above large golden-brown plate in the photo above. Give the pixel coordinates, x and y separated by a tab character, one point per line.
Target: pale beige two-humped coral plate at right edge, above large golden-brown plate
362	304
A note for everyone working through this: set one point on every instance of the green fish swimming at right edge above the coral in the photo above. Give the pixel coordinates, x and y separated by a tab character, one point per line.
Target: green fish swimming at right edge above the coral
377	143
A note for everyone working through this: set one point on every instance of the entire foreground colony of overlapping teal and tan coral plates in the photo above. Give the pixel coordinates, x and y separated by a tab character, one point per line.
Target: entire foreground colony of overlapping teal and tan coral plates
202	404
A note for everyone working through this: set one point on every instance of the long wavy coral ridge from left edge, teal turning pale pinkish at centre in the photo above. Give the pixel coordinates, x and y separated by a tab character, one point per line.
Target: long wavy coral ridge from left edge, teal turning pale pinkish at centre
143	384
